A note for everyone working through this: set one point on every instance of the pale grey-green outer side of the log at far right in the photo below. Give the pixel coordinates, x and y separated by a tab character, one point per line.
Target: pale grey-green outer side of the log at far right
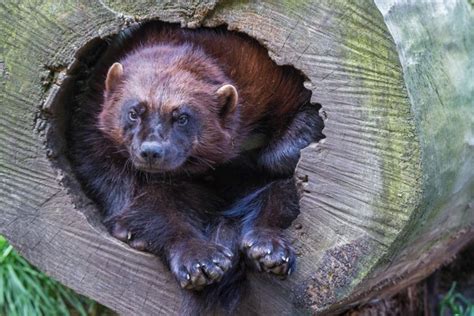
436	42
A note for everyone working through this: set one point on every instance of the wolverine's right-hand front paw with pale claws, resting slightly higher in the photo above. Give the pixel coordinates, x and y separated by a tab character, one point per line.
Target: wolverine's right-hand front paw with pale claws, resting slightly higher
268	251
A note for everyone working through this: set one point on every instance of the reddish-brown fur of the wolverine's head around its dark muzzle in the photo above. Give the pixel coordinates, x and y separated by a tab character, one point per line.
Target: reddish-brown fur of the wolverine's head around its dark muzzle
164	79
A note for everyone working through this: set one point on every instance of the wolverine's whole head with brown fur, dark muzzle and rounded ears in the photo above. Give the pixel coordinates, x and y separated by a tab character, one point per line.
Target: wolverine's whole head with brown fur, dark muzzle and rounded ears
170	108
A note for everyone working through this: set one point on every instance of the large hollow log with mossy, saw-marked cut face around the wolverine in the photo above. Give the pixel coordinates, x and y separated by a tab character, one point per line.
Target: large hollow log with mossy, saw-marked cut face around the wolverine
387	196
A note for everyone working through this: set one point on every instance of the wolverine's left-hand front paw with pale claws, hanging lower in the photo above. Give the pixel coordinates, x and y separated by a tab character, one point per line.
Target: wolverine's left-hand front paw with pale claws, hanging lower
197	264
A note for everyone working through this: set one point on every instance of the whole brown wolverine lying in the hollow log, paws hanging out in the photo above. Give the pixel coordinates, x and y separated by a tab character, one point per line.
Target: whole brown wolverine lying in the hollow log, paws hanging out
188	140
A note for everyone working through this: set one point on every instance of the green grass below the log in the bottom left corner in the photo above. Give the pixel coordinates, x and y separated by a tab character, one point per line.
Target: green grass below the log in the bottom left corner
26	291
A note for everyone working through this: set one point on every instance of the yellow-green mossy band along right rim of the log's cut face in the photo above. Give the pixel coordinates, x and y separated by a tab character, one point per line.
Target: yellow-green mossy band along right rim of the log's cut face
385	109
